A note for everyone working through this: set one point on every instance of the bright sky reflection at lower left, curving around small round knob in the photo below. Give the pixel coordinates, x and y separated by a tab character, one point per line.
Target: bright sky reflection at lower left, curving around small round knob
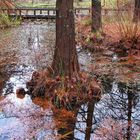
20	117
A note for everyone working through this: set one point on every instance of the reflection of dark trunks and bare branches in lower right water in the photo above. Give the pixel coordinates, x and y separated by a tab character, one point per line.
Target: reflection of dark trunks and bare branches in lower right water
115	117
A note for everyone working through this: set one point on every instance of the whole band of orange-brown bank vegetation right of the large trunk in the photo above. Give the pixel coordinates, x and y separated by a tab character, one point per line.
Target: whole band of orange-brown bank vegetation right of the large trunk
120	37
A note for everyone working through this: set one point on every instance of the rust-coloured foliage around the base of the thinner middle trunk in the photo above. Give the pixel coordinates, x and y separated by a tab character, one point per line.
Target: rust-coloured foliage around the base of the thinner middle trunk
92	41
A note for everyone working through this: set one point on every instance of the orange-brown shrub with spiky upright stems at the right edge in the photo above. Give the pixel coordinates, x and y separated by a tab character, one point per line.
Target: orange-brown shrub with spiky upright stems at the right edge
124	33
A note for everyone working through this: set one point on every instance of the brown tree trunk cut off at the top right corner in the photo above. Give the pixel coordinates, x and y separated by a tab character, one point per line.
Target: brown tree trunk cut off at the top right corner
137	11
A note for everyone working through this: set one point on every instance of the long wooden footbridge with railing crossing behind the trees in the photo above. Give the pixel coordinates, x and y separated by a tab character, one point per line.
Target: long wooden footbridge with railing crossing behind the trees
50	13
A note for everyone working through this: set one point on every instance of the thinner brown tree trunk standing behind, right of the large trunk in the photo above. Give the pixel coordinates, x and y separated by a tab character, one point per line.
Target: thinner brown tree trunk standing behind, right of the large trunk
96	15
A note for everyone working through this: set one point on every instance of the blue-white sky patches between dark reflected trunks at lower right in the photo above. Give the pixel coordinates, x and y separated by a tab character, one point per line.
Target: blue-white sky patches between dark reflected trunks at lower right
110	110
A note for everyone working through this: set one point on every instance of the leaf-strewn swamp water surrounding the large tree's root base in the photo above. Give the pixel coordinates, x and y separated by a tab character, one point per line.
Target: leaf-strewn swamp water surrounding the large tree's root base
29	47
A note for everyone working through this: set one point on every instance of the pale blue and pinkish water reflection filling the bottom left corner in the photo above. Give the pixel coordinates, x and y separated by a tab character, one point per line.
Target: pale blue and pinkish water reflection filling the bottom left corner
25	119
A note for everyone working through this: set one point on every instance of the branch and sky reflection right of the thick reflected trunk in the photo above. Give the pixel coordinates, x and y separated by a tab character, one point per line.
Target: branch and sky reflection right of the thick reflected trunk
122	108
